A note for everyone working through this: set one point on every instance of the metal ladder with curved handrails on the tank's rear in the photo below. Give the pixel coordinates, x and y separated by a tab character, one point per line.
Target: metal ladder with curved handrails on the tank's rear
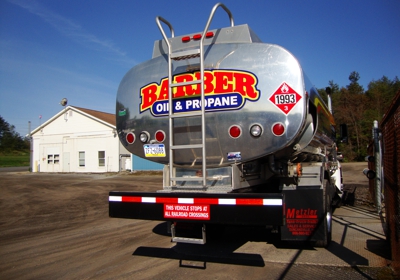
182	55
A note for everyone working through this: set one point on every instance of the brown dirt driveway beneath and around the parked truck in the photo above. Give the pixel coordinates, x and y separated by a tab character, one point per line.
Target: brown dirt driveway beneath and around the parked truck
56	226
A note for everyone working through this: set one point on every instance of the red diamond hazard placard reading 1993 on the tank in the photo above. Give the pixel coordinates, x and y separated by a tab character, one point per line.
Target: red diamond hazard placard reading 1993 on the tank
285	98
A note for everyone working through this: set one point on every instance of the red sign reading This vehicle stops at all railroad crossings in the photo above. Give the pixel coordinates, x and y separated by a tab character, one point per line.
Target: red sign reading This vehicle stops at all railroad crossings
187	211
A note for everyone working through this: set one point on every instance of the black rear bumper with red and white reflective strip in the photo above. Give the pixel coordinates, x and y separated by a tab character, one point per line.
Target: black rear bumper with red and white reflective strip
233	209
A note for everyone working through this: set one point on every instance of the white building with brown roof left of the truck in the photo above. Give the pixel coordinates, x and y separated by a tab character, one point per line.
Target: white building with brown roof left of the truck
79	140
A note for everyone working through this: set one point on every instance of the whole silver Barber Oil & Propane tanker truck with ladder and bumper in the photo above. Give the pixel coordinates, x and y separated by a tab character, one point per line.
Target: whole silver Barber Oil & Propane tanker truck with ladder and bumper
244	137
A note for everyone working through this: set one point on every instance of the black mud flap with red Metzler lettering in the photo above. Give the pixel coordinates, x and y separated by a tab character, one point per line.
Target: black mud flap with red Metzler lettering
305	216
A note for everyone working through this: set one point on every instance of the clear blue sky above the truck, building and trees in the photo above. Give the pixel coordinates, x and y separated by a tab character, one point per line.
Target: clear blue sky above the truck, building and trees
81	49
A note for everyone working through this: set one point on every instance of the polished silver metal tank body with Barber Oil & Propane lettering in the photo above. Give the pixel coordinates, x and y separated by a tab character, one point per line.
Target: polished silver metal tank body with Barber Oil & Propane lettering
247	83
